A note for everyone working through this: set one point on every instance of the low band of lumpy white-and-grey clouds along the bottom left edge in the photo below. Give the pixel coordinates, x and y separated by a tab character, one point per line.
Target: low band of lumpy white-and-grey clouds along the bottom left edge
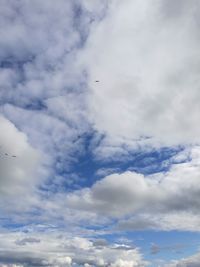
57	248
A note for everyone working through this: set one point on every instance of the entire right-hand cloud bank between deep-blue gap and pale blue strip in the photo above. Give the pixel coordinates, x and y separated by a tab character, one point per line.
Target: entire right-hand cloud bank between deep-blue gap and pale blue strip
158	201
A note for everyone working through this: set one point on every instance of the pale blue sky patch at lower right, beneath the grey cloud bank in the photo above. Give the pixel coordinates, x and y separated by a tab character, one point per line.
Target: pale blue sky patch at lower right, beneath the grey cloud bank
172	245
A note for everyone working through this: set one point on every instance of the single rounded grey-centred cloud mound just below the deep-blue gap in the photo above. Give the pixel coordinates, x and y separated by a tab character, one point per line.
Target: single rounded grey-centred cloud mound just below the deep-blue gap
111	195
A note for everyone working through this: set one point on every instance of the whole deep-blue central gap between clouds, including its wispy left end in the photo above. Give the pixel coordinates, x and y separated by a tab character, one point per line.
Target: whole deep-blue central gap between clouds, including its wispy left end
85	169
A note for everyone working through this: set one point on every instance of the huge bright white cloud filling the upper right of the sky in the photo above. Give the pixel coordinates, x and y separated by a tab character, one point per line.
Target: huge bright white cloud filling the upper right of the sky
148	72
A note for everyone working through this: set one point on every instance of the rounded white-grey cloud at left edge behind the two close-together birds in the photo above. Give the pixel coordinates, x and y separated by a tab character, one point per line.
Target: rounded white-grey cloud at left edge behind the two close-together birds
20	165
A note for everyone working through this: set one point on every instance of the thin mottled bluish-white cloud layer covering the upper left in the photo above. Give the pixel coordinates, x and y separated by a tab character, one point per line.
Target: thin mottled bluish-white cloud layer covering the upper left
42	84
